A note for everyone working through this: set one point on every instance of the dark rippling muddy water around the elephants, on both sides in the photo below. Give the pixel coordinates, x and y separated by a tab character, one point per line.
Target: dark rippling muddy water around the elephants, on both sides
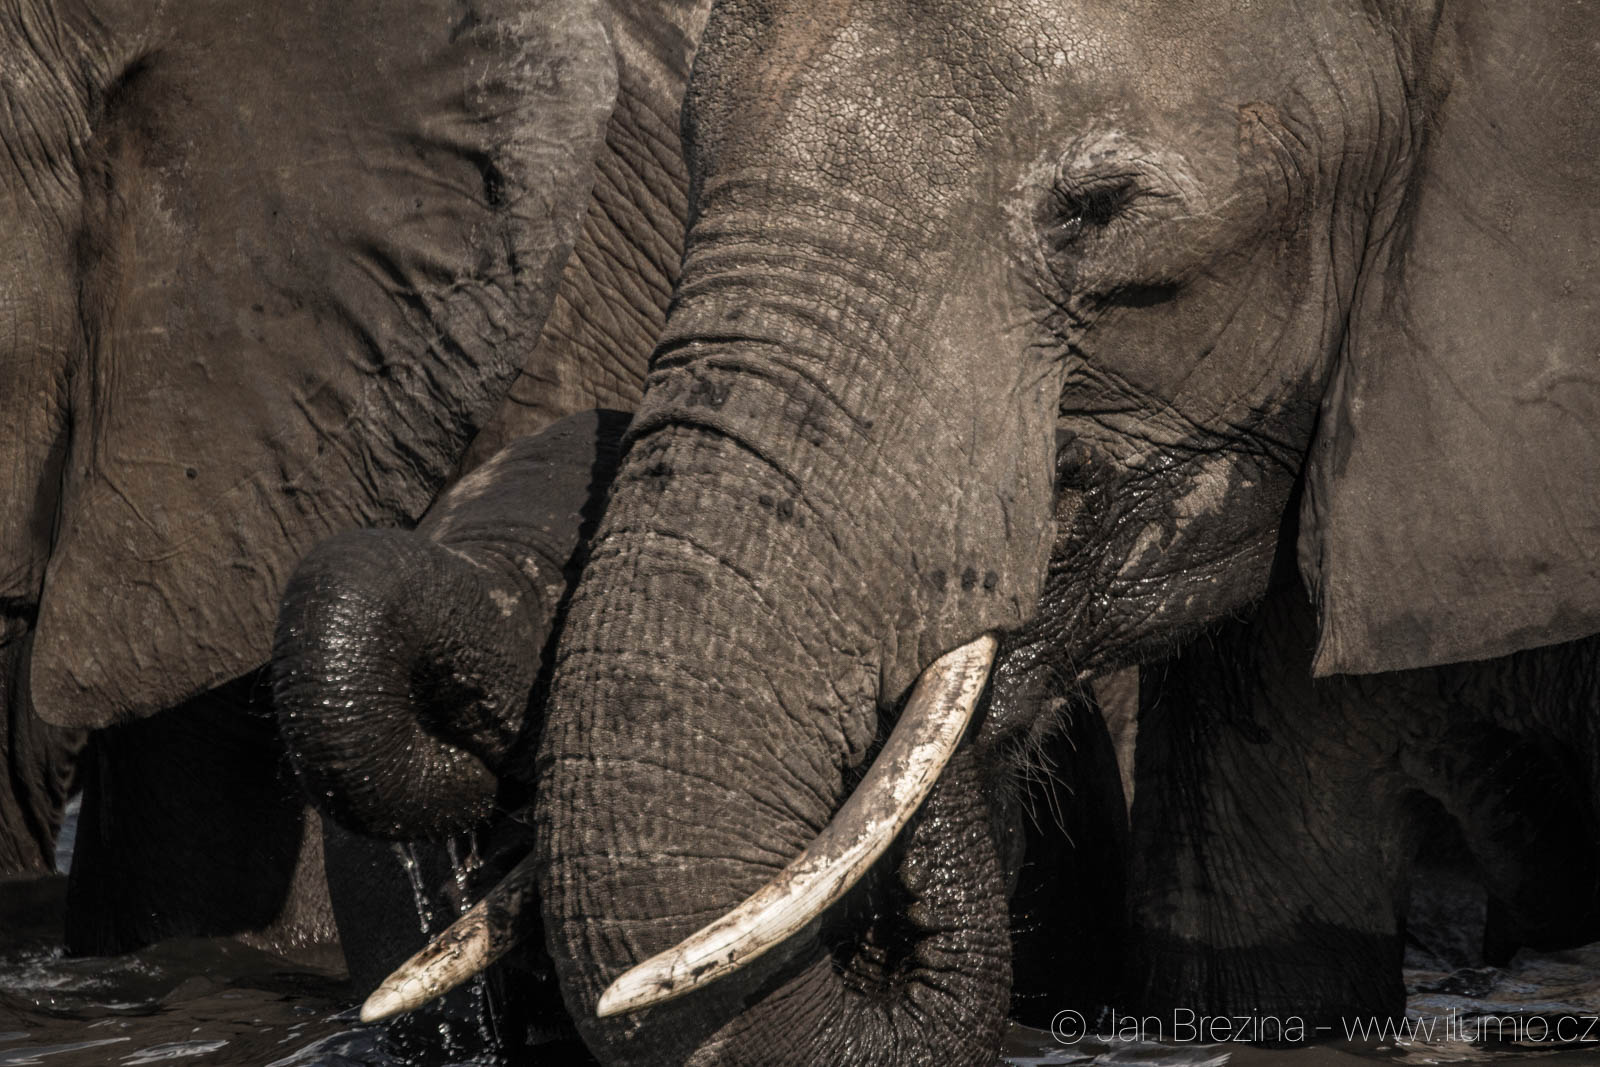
215	1002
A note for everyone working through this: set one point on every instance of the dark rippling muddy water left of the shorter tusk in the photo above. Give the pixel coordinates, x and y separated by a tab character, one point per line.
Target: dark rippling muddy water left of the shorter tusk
193	1002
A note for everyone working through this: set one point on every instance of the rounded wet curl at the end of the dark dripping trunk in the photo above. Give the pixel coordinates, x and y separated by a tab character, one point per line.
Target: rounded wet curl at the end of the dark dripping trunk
401	682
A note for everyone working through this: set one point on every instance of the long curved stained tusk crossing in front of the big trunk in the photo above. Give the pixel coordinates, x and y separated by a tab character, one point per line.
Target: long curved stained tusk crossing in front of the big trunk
892	791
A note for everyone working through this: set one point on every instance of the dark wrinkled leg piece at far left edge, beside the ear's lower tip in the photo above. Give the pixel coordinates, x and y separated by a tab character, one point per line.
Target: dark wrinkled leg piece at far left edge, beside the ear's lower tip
38	772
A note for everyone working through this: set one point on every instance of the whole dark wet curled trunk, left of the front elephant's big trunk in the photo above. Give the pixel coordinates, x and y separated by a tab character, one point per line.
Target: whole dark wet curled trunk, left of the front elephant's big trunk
404	661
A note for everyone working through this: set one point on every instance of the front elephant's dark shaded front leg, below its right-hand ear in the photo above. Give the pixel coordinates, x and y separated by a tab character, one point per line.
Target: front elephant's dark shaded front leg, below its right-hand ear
1270	834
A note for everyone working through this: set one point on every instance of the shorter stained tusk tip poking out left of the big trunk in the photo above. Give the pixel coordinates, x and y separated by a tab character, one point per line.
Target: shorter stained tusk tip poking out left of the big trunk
473	943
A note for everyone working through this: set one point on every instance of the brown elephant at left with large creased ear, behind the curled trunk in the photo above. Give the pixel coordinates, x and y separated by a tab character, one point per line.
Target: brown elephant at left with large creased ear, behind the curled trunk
270	278
